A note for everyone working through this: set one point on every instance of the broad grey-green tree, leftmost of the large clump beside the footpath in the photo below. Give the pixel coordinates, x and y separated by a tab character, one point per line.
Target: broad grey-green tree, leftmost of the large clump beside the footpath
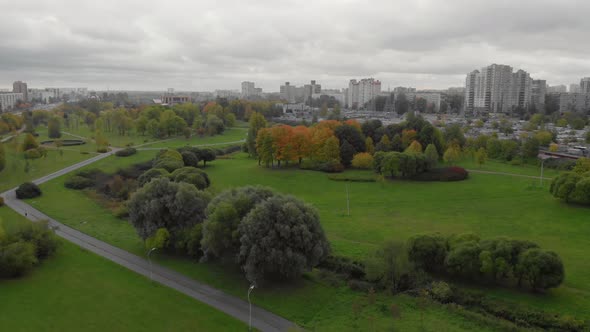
165	204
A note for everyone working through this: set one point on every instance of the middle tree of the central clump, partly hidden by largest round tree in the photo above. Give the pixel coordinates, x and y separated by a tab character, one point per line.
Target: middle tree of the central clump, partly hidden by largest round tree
224	214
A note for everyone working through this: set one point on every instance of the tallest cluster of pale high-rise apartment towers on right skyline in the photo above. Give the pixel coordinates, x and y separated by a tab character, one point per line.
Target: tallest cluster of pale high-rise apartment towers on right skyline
496	88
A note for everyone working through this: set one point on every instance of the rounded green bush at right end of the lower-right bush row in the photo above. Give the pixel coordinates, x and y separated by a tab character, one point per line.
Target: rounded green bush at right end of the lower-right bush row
542	269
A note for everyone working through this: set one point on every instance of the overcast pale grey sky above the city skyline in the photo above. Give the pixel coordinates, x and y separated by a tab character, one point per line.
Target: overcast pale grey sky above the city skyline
216	44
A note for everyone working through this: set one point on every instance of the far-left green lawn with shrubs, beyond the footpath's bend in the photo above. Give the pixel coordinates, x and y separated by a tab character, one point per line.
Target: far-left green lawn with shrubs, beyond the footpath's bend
14	173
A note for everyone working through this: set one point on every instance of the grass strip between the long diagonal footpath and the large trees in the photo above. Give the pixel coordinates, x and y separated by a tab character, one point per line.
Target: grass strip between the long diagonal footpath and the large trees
311	302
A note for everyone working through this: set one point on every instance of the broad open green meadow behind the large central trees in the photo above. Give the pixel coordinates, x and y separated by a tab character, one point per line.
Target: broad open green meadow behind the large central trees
487	204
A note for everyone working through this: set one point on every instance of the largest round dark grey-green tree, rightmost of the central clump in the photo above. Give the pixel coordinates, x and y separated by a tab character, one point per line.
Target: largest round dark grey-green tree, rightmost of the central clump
281	237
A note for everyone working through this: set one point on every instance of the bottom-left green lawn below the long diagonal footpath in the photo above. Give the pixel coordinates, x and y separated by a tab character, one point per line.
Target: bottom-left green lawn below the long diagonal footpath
79	291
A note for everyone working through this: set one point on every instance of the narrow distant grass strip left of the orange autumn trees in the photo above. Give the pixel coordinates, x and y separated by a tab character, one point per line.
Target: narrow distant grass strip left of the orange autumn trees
230	136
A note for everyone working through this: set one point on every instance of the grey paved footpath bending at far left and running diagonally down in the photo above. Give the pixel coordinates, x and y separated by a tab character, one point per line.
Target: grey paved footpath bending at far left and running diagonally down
261	319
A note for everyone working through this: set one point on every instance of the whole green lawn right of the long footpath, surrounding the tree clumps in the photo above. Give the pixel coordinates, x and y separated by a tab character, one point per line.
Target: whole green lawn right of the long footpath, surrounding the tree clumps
380	211
